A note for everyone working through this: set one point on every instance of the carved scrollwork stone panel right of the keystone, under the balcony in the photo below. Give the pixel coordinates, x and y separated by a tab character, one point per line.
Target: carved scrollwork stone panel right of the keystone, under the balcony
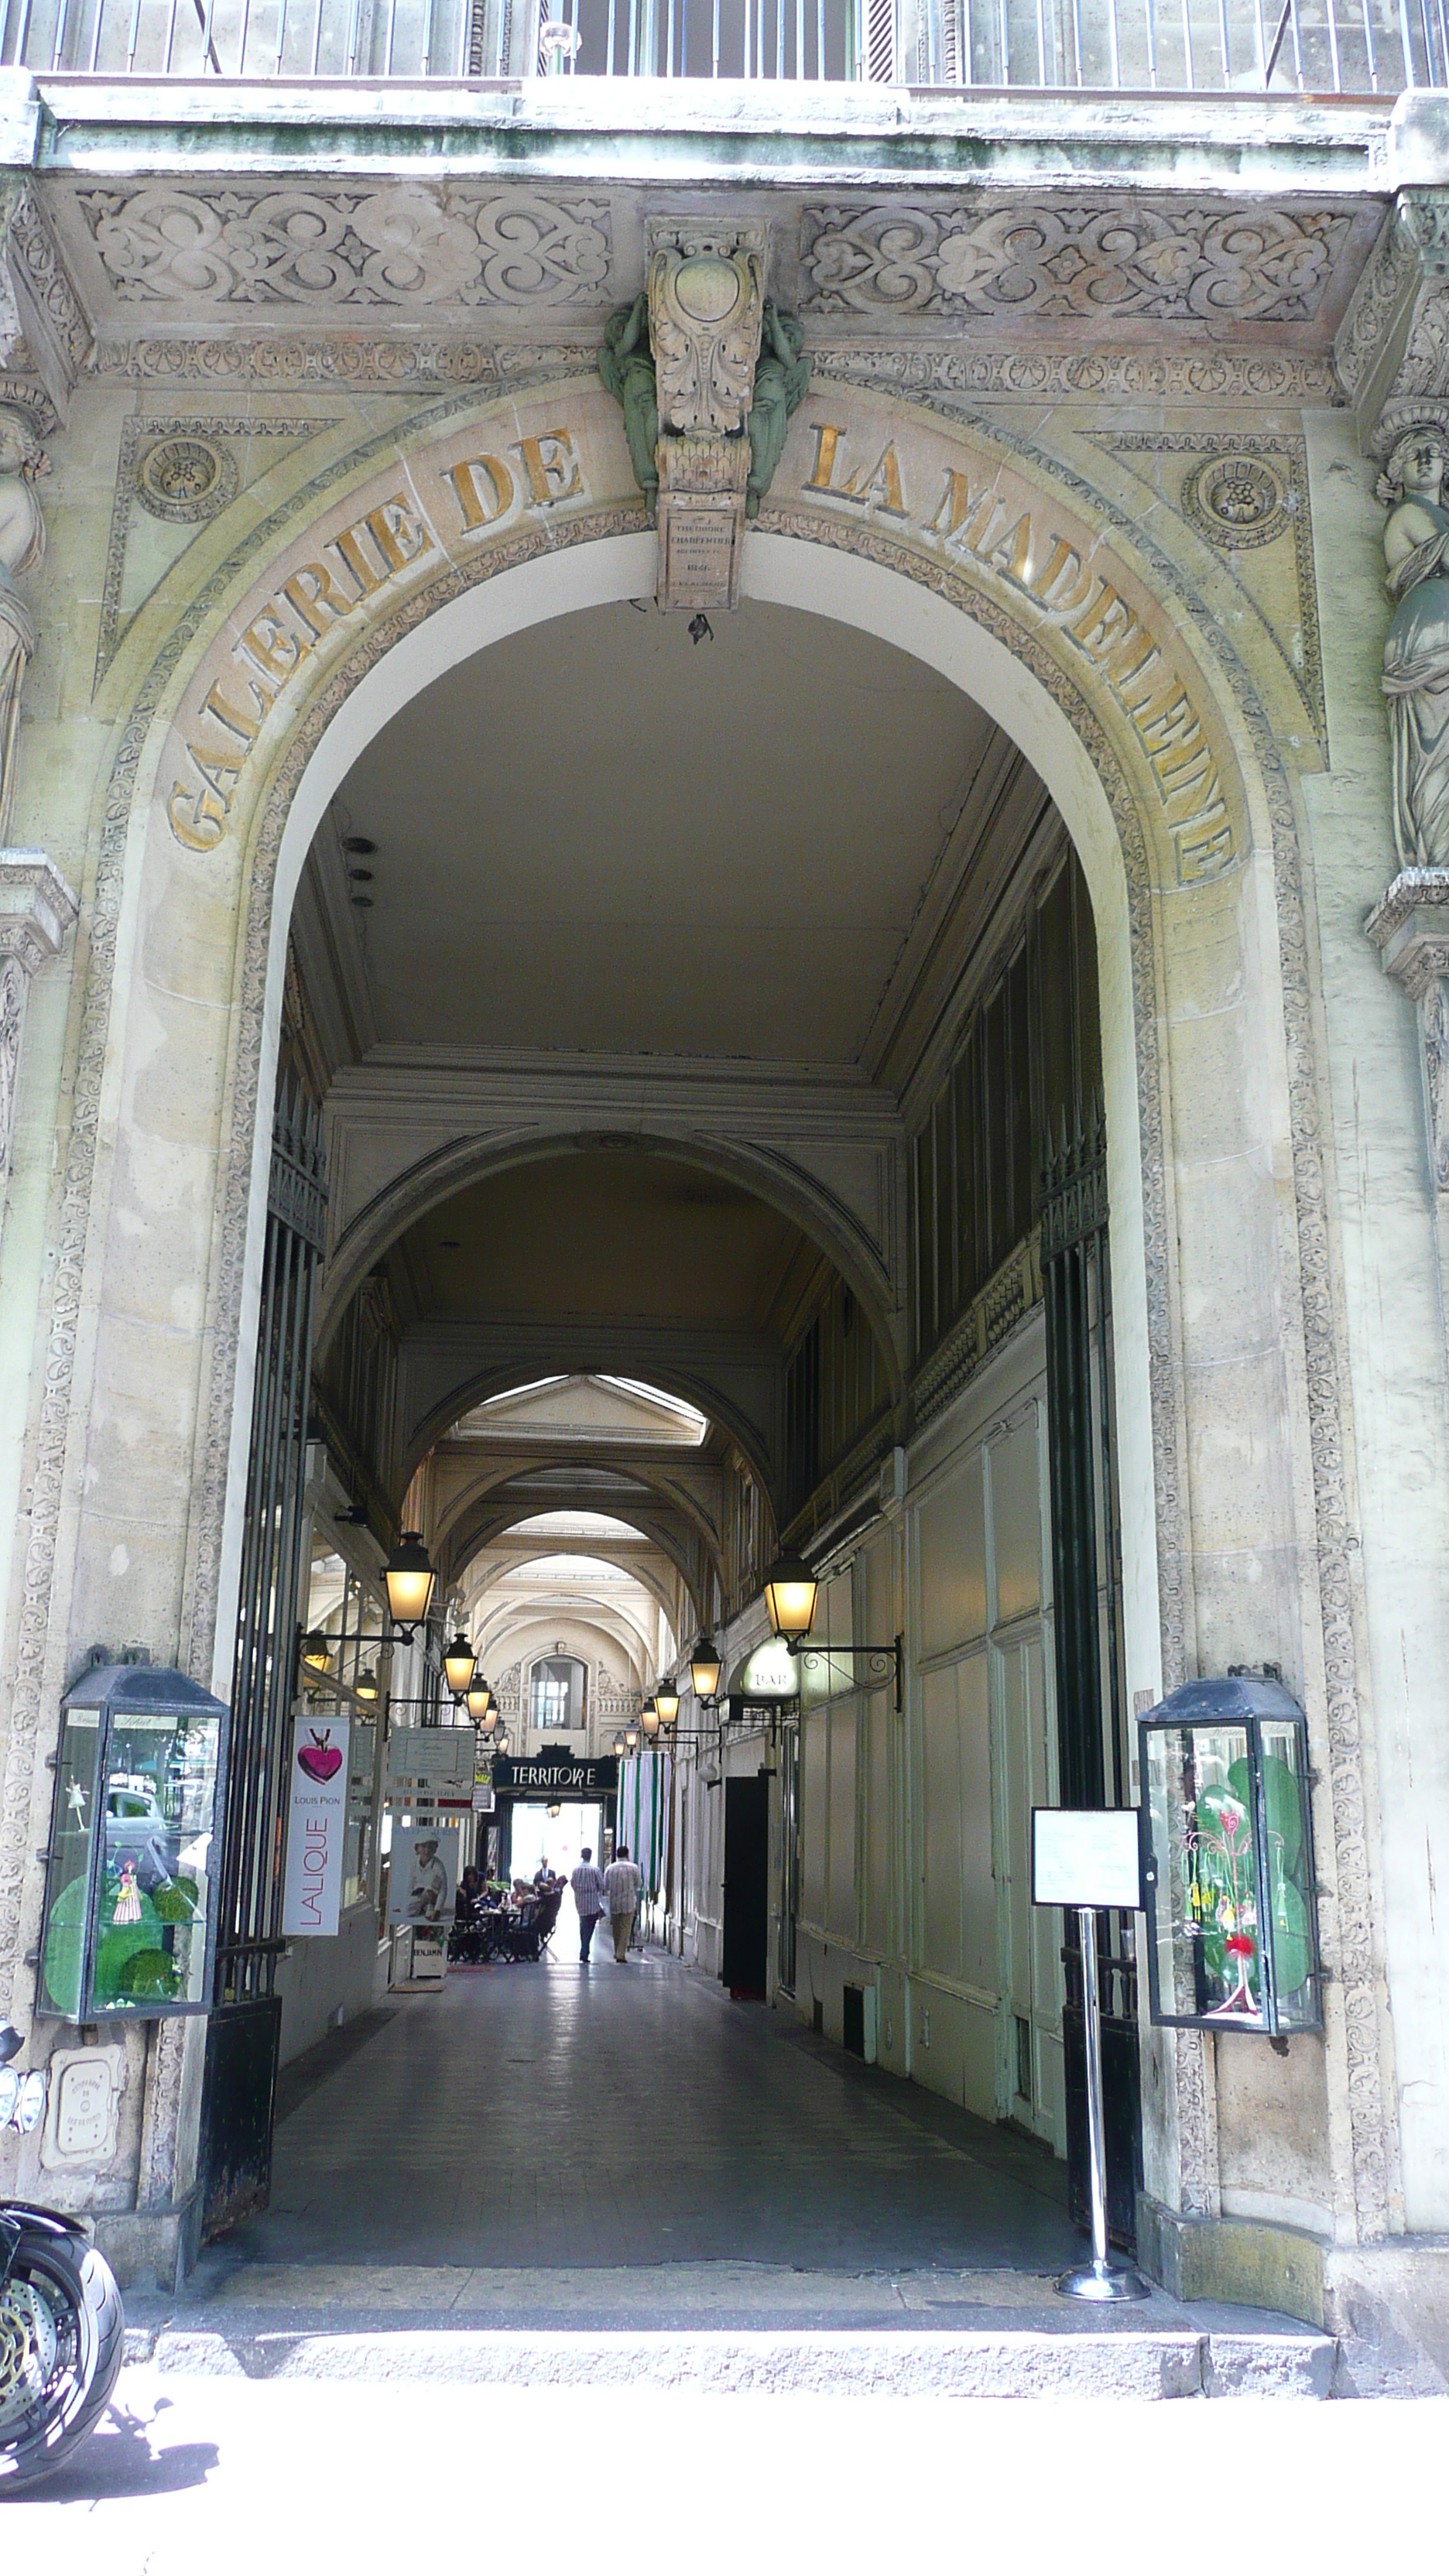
1082	261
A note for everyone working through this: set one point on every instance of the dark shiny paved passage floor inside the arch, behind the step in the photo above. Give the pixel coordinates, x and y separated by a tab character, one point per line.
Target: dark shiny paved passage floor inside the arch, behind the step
610	2119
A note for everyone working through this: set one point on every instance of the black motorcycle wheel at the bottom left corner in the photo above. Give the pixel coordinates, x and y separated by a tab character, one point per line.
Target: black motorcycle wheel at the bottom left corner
61	2351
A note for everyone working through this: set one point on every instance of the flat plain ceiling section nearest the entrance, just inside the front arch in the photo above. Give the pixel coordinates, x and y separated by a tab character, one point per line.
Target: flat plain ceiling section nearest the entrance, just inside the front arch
602	836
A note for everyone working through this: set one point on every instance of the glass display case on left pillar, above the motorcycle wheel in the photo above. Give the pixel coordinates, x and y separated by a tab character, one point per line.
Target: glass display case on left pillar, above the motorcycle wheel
130	1915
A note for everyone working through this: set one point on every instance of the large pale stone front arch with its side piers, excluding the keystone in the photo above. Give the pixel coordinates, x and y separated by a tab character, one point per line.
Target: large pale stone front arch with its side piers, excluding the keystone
929	532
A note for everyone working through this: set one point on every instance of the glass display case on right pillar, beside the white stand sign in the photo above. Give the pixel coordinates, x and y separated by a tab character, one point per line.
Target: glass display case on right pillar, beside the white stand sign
1234	1928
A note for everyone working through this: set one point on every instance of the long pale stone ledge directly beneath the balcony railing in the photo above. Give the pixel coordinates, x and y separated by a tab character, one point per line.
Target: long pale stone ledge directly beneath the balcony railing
687	133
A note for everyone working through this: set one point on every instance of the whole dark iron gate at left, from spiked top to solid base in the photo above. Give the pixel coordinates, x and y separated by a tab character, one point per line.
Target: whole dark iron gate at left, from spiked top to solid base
246	2013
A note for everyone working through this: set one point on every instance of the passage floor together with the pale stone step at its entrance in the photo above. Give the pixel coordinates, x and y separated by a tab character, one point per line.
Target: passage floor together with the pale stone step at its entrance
545	2178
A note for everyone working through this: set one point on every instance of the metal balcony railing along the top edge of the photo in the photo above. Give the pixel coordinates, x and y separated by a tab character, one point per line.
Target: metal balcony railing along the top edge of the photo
1321	48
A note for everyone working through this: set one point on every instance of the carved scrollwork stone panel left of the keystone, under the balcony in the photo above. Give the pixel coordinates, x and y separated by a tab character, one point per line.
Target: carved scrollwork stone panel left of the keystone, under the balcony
344	249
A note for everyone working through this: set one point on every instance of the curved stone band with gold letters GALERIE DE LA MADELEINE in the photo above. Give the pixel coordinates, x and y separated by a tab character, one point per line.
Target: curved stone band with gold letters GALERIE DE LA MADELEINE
948	496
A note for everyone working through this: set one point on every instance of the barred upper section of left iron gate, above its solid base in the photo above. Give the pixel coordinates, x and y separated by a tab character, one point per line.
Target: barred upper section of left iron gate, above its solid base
272	1557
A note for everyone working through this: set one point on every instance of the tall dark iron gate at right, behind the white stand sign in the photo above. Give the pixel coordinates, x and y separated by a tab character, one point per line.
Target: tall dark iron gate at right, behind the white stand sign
1087	1591
